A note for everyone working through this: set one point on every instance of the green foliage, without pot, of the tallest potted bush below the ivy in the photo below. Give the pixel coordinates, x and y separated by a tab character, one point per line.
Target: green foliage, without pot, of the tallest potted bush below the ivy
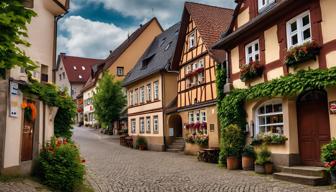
233	141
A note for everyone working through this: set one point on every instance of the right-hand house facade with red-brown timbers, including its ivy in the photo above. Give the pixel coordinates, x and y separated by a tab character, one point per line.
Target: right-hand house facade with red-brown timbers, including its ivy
281	71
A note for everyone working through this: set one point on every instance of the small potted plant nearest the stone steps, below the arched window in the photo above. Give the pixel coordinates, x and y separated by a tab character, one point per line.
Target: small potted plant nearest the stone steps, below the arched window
263	162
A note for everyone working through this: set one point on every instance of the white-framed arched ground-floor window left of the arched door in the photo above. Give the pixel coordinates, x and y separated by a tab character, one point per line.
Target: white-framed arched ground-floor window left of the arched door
269	118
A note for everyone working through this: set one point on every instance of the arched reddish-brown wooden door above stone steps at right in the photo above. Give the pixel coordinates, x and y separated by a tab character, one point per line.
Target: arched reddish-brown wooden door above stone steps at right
313	124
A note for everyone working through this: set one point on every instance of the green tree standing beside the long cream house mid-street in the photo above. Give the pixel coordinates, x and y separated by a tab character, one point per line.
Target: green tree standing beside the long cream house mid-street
109	100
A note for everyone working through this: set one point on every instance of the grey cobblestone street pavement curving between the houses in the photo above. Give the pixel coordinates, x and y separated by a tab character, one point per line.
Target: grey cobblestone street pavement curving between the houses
112	167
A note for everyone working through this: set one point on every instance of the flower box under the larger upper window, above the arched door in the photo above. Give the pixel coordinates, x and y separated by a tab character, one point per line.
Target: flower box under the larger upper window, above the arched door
300	54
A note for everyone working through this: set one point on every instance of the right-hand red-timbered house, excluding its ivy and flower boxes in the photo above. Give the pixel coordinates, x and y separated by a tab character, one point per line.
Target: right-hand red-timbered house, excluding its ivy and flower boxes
264	32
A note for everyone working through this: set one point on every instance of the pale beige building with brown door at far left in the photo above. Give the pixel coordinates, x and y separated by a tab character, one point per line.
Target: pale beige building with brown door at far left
20	141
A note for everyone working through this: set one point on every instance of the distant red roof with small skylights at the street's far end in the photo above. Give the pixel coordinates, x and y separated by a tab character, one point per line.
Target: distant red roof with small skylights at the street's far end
78	69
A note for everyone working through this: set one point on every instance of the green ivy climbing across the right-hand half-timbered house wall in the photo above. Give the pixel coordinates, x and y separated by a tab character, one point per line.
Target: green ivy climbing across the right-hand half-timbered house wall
231	108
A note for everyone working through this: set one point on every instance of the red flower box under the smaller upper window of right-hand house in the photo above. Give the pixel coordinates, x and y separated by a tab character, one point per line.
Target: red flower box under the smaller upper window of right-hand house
251	71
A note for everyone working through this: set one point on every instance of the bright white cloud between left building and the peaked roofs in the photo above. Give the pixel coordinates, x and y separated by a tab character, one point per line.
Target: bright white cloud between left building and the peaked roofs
88	38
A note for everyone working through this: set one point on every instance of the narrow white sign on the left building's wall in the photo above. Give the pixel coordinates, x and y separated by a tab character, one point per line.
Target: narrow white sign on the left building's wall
14	99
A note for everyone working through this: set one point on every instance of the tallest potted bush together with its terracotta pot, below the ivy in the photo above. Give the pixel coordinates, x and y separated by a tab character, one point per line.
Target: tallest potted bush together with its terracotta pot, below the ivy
233	142
